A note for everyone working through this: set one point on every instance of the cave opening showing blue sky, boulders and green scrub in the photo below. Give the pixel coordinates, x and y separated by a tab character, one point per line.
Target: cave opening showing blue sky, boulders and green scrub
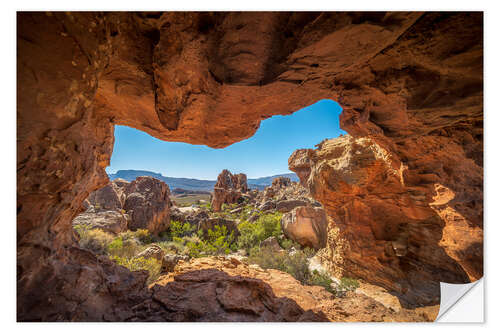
178	200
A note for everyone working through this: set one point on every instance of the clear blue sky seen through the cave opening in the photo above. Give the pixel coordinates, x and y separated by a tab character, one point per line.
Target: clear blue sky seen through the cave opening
264	154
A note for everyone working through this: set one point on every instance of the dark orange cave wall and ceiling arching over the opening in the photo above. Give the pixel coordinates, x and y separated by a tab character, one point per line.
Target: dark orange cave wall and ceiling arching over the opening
412	82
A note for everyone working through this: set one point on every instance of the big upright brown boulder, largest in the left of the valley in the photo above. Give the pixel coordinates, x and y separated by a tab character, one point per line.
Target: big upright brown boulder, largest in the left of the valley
148	204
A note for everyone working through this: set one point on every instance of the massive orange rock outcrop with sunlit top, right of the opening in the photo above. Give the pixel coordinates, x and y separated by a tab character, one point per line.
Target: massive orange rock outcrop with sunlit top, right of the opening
387	213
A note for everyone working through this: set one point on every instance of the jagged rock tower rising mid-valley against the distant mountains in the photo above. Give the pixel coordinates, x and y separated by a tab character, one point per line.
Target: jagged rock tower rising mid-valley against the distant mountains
228	189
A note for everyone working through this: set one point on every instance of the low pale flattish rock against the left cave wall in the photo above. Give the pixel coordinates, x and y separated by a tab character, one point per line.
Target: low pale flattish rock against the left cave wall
110	221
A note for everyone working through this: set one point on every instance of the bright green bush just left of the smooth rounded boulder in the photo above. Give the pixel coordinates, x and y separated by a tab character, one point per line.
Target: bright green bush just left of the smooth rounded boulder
251	234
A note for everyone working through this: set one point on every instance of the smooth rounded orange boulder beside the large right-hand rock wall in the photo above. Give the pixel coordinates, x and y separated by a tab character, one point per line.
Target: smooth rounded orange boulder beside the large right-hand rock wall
306	226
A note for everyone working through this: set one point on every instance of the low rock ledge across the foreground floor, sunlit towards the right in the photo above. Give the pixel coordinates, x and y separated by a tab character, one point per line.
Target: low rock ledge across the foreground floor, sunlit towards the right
220	289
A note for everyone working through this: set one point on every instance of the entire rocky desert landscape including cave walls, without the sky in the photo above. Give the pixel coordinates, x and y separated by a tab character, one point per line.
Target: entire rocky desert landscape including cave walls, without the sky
364	228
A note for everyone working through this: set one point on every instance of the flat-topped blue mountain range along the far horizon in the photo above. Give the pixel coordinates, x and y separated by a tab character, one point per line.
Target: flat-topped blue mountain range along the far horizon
195	184
